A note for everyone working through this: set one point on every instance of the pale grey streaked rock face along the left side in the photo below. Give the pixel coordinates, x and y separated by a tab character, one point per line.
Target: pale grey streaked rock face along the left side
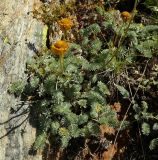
17	29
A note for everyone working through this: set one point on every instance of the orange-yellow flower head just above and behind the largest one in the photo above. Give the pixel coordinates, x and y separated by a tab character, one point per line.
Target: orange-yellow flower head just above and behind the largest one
65	23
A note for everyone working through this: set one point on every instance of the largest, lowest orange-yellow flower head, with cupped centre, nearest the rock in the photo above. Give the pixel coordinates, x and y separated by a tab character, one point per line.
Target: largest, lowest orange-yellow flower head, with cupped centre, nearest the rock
60	47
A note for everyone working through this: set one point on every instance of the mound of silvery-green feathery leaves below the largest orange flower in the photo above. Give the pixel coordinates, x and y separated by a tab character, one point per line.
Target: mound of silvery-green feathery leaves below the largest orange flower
67	104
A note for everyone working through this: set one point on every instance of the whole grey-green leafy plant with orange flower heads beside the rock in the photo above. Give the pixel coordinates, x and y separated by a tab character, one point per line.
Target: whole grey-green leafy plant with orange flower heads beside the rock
68	86
